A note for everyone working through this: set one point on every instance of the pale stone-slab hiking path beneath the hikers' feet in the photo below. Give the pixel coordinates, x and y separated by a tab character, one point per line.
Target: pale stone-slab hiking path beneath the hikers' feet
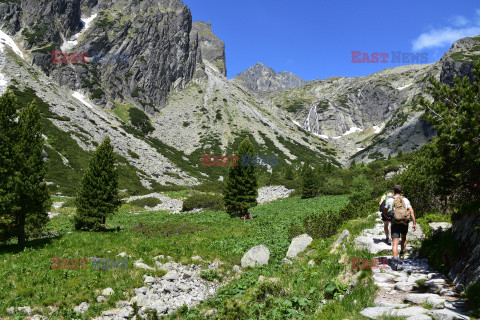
415	291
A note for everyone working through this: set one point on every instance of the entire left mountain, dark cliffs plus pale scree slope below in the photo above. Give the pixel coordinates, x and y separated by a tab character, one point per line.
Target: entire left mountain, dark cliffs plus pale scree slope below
174	71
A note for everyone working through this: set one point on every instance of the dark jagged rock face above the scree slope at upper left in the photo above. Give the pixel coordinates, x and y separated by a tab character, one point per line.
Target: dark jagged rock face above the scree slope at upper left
159	51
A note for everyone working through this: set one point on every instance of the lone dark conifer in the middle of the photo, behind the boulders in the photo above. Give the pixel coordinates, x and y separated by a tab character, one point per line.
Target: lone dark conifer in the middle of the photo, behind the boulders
241	184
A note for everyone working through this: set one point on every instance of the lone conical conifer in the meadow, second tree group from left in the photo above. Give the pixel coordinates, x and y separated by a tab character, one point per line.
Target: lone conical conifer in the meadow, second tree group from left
97	198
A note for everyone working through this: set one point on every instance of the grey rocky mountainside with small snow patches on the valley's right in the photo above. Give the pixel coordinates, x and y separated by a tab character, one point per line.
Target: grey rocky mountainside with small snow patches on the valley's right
371	117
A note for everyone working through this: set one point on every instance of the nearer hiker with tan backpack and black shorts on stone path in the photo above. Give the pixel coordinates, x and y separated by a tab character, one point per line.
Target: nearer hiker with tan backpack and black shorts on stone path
402	211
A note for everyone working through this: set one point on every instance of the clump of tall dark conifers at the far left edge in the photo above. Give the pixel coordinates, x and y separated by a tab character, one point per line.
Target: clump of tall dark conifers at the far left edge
24	198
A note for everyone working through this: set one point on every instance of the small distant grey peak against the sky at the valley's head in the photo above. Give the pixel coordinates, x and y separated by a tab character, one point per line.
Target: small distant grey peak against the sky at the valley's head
261	79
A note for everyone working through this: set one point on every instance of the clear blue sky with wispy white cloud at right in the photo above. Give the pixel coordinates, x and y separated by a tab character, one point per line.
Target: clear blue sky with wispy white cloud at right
314	39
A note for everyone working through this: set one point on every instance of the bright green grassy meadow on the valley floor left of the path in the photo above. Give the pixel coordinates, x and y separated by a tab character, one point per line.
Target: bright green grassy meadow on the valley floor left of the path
27	277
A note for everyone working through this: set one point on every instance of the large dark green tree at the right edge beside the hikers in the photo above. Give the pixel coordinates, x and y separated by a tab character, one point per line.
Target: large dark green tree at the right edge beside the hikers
444	173
